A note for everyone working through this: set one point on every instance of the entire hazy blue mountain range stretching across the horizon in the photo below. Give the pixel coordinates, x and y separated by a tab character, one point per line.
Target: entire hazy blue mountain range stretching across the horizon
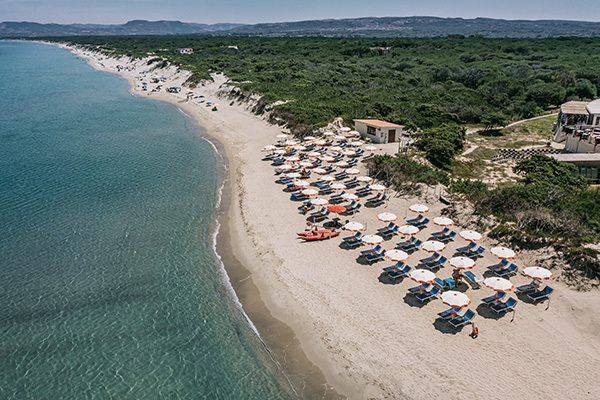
349	27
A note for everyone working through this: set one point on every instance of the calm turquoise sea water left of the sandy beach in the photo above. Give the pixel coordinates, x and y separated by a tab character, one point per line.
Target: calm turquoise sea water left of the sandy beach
109	287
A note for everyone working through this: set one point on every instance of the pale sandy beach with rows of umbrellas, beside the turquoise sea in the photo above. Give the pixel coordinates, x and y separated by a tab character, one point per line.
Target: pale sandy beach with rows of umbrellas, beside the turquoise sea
347	330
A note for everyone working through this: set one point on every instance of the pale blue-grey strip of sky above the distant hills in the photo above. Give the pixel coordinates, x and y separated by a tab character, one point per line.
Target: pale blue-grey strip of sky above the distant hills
256	11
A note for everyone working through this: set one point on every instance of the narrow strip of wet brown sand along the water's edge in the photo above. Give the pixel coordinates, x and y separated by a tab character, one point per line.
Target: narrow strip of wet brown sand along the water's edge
278	338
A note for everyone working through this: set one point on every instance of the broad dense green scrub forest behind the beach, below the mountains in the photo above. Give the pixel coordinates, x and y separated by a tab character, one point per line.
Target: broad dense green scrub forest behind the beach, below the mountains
419	82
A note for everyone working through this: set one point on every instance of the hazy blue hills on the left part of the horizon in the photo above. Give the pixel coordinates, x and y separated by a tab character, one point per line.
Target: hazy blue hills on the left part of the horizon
136	27
